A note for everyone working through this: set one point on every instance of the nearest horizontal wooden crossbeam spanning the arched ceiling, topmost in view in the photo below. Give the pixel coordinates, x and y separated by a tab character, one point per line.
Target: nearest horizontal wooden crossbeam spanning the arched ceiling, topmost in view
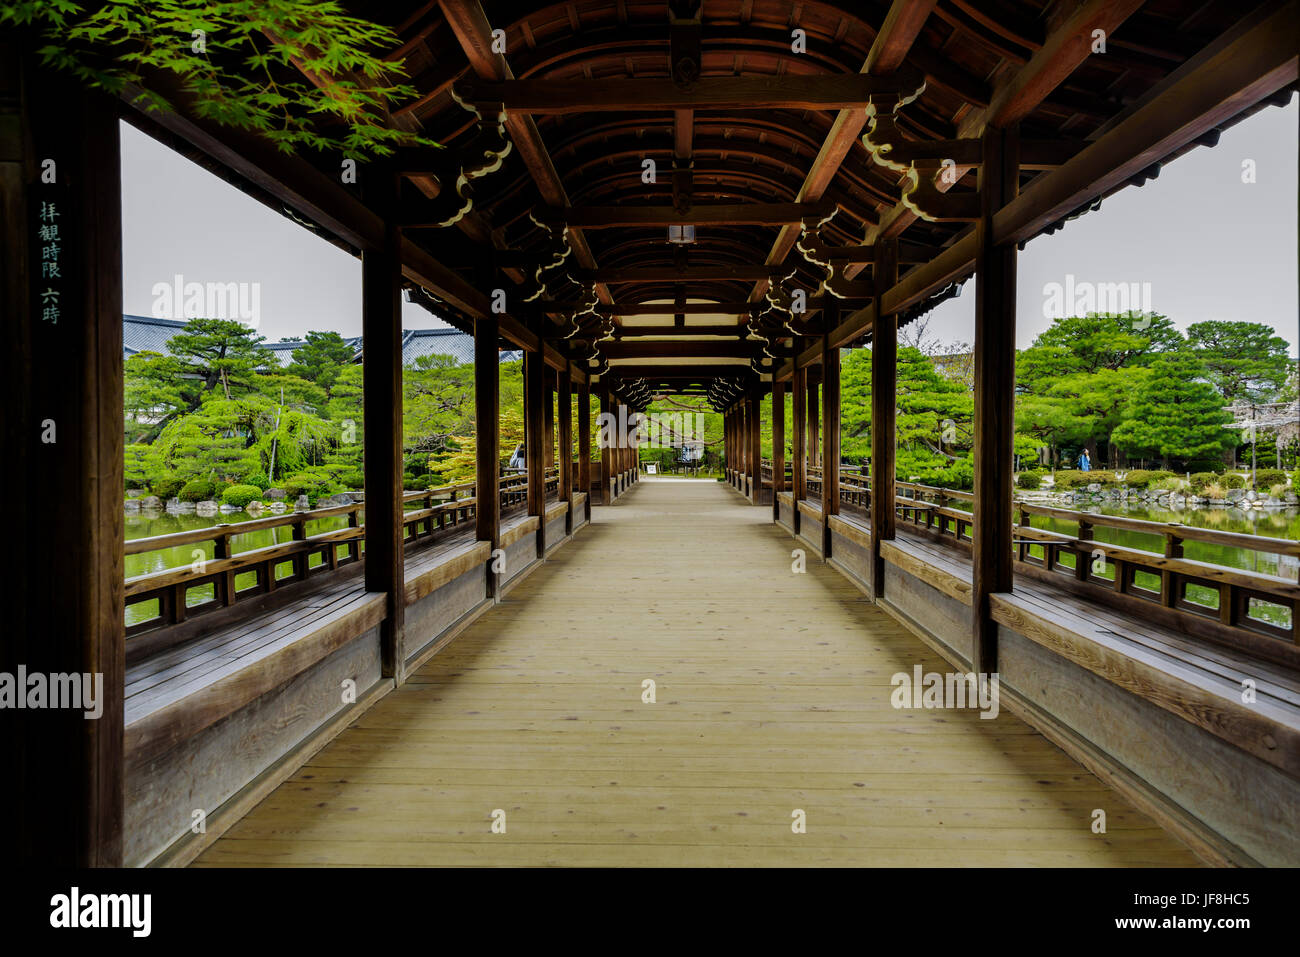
558	97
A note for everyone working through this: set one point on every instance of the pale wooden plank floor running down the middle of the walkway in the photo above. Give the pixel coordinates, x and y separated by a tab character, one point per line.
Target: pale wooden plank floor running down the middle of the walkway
773	696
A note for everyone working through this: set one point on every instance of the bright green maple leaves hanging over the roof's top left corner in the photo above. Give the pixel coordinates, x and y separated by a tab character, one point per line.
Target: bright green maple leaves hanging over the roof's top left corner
249	72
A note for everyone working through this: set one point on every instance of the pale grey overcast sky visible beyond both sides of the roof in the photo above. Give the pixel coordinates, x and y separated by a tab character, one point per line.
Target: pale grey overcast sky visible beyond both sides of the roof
1210	245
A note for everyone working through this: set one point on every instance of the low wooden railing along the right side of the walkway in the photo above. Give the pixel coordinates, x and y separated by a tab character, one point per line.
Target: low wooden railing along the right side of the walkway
1198	591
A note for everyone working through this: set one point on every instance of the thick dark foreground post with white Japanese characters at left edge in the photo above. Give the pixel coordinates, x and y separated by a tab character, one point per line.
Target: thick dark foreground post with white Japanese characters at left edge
64	478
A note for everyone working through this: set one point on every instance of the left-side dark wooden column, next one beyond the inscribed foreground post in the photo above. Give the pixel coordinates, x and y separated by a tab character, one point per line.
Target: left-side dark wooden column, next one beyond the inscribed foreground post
382	331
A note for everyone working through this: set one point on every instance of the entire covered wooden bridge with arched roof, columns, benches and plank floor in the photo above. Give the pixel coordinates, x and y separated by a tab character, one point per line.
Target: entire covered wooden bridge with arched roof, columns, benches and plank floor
583	666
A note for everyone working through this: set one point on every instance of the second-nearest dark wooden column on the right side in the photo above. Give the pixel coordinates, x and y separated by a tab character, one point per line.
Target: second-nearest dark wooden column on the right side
885	388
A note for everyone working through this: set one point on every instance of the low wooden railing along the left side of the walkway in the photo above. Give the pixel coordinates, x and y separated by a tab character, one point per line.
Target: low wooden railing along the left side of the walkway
236	578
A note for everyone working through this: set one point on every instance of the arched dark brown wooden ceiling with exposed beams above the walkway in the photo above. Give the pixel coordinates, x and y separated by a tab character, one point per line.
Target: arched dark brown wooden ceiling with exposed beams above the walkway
582	133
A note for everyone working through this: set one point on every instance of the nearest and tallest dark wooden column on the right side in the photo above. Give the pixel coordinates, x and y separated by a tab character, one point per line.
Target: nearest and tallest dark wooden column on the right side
995	396
